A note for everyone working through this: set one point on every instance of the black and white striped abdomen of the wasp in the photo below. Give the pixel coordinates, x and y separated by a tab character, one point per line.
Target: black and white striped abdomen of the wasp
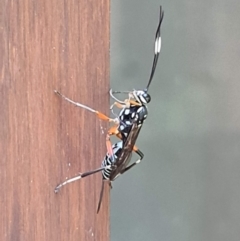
108	160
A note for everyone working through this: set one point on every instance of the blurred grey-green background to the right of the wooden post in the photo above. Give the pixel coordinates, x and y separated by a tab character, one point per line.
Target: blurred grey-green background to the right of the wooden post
187	186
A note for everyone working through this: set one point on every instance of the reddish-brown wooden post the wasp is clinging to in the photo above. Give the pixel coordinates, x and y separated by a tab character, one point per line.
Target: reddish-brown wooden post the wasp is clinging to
47	45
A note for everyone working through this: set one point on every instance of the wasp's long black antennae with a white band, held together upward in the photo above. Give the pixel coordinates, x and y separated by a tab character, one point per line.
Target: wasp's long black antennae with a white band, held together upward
157	47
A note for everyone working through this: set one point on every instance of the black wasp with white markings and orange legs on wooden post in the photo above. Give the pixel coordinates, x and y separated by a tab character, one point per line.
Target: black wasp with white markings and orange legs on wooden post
127	127
